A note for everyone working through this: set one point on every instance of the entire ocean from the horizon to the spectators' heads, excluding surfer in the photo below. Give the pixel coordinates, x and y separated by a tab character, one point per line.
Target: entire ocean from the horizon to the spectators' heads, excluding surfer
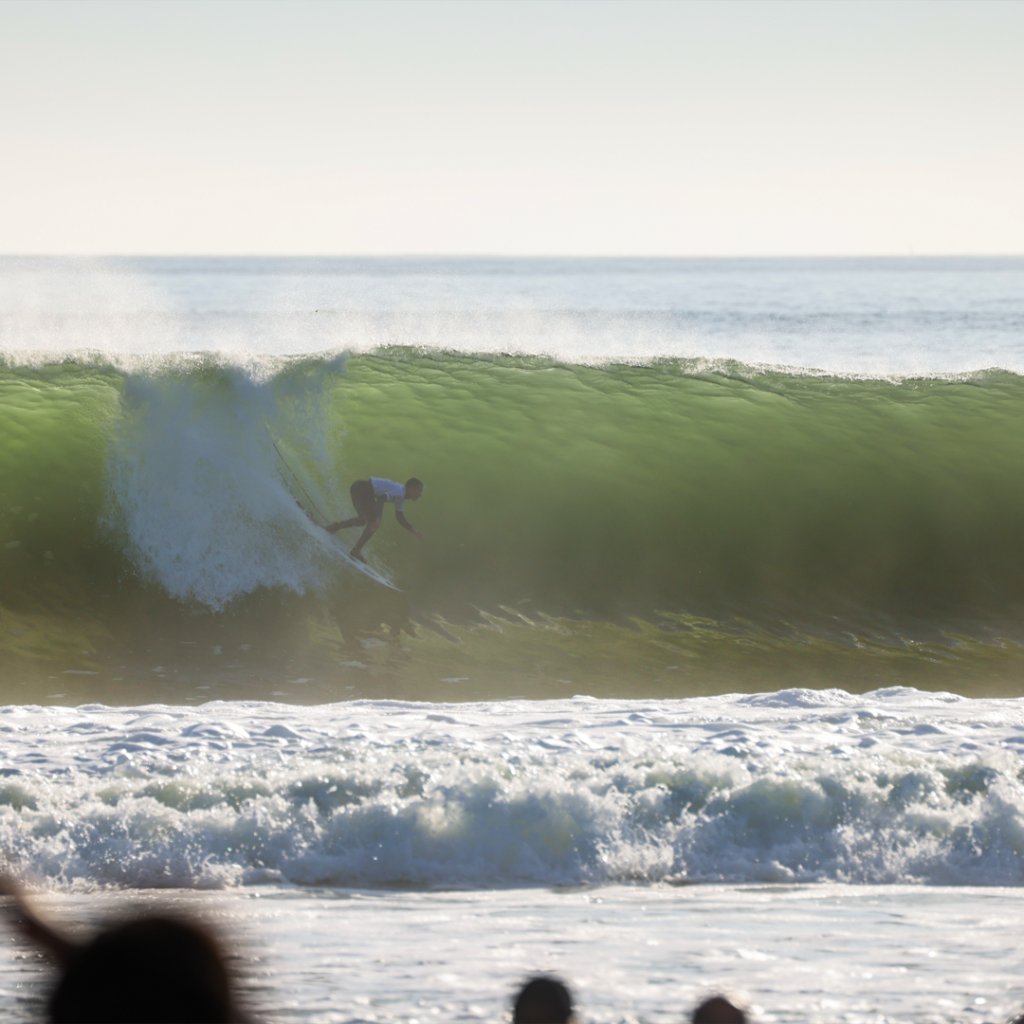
708	671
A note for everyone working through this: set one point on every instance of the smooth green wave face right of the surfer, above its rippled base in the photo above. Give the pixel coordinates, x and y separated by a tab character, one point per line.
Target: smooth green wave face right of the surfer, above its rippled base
630	490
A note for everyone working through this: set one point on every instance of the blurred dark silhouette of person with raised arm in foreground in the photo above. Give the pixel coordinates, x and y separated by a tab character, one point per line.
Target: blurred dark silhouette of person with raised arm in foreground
153	968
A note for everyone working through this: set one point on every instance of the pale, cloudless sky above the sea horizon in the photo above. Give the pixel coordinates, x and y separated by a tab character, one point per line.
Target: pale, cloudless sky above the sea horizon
530	127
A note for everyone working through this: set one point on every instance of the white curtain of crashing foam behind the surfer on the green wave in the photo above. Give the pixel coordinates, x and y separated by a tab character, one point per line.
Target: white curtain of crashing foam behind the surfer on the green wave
196	486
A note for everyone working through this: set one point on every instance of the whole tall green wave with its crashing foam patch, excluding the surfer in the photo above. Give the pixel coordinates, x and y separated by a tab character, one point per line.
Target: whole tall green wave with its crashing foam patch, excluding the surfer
667	529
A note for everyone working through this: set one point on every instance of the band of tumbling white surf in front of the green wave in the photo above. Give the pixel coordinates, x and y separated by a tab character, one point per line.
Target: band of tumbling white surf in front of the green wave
894	787
